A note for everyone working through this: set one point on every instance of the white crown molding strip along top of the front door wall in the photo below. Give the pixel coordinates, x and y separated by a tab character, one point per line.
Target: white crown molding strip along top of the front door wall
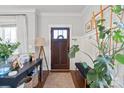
60	14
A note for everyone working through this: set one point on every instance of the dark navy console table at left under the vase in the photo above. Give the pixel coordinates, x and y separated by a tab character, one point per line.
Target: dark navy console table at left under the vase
13	81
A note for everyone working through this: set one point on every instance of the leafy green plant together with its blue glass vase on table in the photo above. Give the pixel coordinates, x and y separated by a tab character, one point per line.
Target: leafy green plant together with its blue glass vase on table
6	50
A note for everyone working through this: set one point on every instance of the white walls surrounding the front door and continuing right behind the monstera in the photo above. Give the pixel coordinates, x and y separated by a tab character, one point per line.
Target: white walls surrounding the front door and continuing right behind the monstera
77	23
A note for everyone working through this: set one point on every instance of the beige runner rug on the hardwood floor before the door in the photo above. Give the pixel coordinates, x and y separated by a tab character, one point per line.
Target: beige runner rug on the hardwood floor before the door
59	80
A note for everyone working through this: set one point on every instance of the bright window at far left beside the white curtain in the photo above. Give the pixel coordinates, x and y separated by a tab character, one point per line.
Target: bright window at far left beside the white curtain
8	33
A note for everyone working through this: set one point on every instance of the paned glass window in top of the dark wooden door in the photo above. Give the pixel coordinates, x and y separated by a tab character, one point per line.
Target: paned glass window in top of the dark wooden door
60	34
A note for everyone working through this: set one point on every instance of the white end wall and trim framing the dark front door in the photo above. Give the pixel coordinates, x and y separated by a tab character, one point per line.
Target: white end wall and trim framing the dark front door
45	21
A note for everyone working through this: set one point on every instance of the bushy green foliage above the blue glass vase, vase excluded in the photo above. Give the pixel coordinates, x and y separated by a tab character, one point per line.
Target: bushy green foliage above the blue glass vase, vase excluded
6	49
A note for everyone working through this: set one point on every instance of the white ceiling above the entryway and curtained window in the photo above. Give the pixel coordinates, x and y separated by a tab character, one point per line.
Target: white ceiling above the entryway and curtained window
48	8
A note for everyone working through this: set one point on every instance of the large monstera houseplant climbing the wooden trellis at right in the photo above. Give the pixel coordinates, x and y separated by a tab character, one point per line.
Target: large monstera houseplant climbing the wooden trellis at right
102	73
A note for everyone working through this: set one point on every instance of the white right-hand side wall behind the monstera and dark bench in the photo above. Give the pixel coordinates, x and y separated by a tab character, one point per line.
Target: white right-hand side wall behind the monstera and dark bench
85	40
